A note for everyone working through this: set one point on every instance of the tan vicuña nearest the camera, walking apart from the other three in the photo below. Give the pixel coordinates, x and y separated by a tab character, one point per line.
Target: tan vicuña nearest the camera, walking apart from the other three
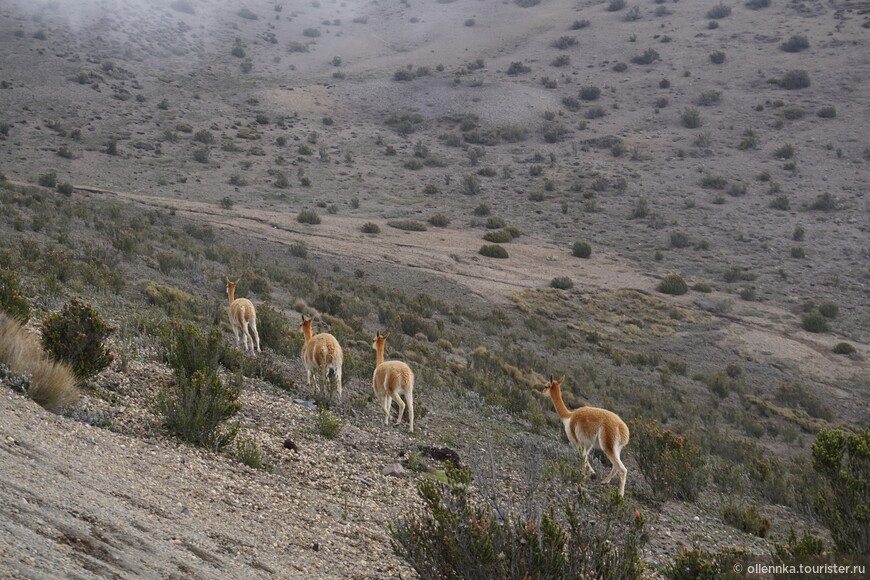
590	427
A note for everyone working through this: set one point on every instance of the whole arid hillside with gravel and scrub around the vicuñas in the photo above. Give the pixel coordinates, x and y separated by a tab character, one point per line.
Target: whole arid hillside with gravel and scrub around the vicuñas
666	202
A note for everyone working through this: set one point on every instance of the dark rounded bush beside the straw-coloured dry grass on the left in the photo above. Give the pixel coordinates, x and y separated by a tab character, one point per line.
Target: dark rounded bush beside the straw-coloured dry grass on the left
75	336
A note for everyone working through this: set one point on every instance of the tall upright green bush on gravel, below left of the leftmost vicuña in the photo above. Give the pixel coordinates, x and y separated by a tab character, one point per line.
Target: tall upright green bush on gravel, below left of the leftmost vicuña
197	402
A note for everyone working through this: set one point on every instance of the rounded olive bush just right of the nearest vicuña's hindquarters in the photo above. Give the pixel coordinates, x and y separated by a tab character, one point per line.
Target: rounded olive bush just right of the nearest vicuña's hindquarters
671	465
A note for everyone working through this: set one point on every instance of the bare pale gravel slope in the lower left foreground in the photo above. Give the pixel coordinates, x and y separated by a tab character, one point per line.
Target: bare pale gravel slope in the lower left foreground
79	501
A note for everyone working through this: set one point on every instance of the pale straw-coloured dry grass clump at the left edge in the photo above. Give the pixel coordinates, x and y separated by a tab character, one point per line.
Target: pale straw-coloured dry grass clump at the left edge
52	384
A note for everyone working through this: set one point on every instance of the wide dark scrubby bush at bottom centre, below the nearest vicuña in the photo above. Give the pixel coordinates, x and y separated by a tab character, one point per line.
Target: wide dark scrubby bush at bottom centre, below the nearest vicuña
457	535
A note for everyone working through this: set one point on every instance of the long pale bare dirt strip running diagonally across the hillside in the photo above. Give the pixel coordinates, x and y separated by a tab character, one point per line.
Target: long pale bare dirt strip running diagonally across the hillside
766	334
